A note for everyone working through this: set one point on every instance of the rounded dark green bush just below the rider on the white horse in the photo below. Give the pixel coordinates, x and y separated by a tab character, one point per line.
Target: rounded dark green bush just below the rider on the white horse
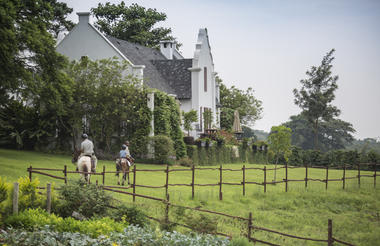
86	199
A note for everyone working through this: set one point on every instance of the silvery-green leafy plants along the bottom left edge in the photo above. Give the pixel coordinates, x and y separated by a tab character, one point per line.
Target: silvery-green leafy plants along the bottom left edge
131	235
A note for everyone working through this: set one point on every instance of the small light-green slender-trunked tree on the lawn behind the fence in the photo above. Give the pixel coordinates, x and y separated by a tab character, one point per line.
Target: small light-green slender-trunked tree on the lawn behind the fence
279	142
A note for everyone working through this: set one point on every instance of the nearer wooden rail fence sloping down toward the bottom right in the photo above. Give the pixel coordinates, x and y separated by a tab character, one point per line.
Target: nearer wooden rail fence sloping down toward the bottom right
248	221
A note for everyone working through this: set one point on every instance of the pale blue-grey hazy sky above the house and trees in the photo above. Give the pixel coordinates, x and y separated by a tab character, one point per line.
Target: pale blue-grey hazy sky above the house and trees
269	45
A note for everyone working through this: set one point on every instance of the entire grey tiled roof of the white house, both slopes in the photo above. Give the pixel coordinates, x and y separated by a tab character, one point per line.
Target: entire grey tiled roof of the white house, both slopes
170	76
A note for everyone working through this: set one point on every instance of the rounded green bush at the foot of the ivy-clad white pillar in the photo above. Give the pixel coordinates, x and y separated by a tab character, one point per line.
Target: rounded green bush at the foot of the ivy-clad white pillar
163	148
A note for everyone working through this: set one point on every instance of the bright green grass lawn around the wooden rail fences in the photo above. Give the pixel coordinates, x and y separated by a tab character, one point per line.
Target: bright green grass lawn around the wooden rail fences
303	212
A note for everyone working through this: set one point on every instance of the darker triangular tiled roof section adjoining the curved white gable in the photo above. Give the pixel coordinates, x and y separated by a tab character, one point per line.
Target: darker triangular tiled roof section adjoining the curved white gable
177	75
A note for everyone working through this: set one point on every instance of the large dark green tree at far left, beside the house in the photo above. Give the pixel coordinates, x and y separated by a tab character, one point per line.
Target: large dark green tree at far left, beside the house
33	85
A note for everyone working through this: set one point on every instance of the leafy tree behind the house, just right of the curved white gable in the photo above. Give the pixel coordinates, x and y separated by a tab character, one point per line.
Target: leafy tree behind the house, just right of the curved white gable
250	108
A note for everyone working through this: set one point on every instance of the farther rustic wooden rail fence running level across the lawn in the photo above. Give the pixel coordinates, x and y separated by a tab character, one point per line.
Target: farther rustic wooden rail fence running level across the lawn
243	183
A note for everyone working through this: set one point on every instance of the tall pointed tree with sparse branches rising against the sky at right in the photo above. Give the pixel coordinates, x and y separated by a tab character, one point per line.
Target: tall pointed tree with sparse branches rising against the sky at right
317	93
